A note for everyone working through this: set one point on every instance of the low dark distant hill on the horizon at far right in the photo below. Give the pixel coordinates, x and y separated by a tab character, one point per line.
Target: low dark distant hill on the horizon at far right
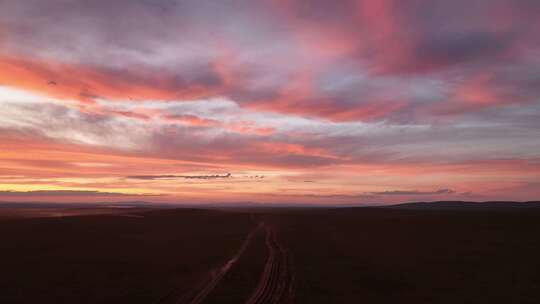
460	205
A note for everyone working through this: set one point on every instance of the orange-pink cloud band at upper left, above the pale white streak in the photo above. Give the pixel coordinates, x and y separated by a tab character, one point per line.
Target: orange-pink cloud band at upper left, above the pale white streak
81	83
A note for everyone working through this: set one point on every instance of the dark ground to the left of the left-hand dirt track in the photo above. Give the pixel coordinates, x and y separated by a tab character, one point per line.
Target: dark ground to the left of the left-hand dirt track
114	259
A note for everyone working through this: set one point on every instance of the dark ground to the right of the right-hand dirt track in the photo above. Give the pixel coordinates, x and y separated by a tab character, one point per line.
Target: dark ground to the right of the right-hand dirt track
404	256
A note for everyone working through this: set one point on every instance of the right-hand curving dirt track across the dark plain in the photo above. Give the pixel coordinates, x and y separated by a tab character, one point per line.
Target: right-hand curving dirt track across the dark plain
276	281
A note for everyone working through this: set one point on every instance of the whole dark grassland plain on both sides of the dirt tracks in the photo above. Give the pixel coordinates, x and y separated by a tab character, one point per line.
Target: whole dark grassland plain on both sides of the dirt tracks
348	255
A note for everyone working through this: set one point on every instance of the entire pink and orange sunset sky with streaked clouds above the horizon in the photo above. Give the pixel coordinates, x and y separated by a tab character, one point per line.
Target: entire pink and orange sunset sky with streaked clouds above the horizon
323	102
